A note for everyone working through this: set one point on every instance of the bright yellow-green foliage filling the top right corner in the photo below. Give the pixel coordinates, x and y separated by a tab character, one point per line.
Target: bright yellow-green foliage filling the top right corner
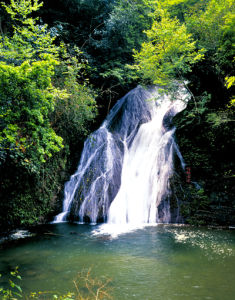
212	25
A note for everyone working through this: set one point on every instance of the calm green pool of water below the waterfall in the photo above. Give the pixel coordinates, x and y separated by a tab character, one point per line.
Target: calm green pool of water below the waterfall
161	262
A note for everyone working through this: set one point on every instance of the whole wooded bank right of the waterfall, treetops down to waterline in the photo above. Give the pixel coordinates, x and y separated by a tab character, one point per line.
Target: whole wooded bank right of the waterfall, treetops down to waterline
206	128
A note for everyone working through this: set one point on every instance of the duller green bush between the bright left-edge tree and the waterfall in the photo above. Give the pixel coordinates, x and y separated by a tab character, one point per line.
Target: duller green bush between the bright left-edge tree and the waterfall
72	114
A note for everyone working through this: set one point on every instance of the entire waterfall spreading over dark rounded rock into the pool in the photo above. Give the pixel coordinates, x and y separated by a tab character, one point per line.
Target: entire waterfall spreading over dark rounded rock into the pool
125	167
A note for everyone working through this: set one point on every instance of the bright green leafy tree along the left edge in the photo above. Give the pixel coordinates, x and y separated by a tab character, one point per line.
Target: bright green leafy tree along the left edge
27	96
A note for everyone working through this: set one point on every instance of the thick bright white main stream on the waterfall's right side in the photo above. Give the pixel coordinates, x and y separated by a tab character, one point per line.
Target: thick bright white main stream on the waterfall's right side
147	166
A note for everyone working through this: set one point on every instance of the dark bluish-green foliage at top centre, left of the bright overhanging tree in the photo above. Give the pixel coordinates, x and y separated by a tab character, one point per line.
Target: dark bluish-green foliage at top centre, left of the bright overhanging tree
123	31
